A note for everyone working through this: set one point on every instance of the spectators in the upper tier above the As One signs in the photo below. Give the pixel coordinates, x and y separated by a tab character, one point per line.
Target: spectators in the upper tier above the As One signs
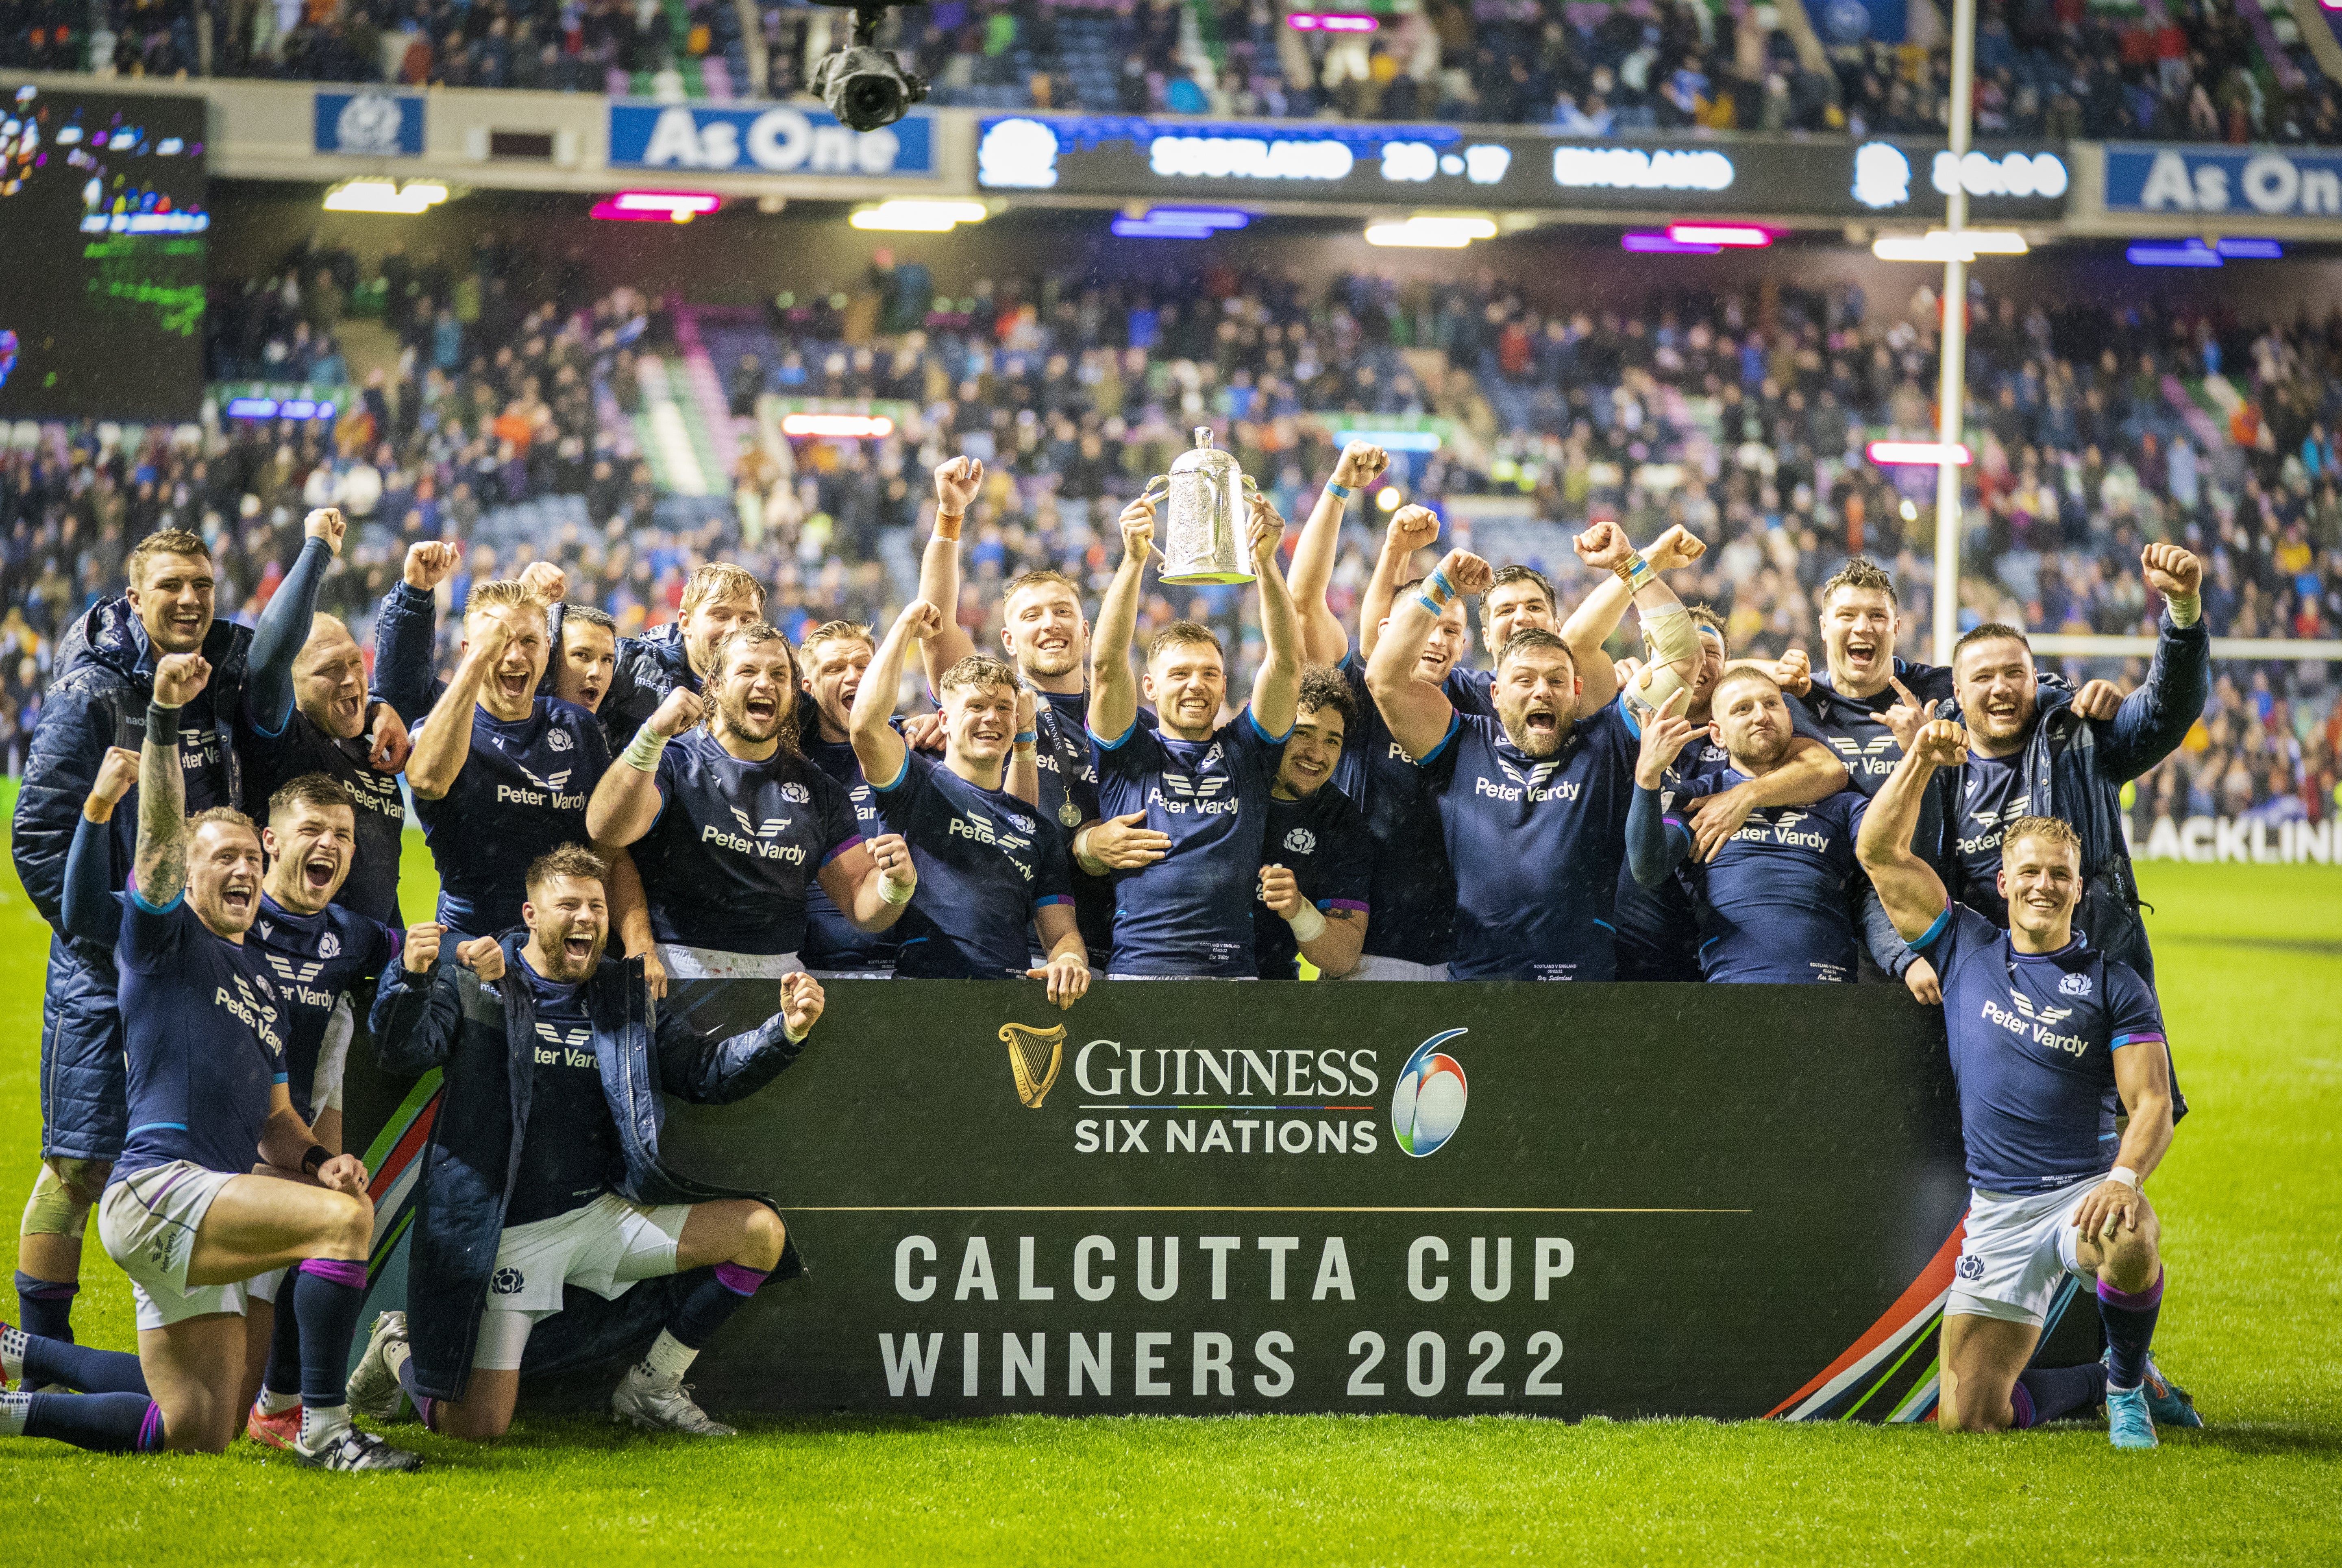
2191	71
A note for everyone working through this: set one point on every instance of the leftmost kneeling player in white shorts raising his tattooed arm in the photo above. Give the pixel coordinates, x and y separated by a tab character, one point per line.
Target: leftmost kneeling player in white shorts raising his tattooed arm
184	1218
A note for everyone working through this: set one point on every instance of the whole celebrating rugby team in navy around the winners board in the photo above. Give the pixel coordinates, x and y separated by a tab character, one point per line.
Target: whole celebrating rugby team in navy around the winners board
212	822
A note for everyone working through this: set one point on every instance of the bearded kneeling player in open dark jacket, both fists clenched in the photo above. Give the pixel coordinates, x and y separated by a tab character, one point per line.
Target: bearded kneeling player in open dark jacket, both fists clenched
566	1061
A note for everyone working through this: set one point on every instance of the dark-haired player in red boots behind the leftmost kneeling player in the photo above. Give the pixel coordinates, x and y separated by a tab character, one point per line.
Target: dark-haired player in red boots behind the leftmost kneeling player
320	953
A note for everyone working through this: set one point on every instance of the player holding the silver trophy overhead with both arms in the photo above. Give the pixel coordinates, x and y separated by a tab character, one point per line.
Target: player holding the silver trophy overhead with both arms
1200	784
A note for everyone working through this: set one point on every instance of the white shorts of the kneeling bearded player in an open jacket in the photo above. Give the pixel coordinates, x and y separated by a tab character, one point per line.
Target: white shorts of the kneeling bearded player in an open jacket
605	1246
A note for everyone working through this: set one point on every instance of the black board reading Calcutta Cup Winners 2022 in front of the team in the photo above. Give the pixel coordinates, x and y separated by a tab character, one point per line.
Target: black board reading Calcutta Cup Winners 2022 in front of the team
1420	1199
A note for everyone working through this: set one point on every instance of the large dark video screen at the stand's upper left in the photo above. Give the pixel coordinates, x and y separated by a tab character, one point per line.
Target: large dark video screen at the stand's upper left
102	252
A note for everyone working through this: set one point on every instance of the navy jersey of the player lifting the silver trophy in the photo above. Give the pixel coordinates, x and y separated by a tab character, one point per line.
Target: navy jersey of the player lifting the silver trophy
1193	911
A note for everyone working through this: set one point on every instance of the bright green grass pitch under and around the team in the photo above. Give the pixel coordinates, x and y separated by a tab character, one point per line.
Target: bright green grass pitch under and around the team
2252	1201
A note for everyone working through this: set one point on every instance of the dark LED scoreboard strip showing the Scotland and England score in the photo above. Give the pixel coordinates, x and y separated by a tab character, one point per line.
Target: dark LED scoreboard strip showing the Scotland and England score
1460	168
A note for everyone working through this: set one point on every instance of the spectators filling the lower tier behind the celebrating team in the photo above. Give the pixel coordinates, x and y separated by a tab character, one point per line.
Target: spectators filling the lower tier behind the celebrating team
509	421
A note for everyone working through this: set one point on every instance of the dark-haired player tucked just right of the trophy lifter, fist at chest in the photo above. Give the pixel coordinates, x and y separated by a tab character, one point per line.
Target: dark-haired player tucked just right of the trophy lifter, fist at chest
1317	864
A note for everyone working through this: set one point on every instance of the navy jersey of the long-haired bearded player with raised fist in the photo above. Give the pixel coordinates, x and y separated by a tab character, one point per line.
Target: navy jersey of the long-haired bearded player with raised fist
739	847
